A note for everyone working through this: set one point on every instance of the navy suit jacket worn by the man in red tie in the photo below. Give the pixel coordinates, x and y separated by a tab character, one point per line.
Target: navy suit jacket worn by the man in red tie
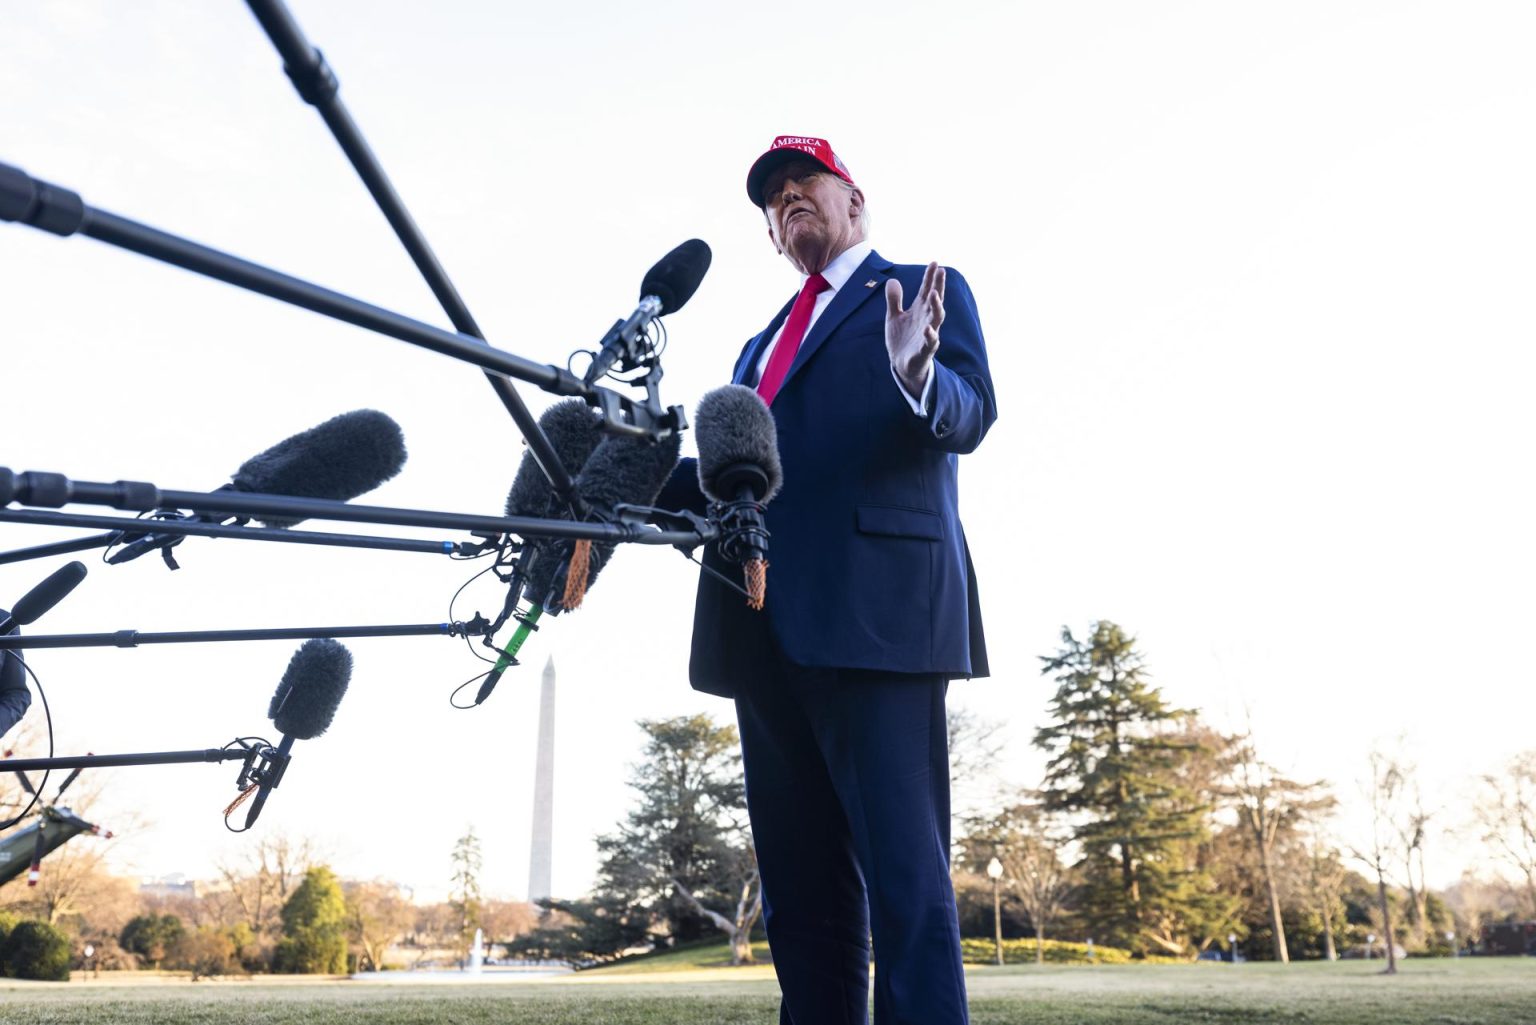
869	563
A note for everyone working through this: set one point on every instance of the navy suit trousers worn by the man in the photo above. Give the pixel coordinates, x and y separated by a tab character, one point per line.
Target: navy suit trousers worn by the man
849	791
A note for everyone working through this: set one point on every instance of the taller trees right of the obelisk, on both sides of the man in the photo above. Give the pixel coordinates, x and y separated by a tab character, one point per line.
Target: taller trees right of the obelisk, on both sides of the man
1151	834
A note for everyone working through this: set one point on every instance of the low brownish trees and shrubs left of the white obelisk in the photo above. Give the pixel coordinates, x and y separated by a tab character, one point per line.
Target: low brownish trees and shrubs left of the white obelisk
279	911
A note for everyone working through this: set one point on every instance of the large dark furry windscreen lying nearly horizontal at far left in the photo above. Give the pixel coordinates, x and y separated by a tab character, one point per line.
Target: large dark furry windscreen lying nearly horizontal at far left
342	459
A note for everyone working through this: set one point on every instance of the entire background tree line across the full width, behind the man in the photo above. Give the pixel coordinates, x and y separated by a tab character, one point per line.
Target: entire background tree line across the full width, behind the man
1150	835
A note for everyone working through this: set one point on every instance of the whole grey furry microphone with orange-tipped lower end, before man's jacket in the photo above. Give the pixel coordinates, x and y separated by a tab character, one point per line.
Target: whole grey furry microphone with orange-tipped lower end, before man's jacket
740	473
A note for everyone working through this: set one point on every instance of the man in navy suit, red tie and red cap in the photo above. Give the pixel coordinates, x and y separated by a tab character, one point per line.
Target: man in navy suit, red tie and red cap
839	682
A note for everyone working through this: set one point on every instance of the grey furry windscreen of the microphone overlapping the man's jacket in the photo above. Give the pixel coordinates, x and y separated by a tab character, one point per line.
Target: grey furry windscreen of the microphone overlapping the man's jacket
735	430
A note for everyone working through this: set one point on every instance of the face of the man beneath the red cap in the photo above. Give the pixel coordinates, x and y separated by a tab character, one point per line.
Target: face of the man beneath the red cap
812	216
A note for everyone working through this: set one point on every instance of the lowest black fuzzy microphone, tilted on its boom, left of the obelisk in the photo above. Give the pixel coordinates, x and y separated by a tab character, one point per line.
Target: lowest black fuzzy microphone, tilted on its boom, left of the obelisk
302	709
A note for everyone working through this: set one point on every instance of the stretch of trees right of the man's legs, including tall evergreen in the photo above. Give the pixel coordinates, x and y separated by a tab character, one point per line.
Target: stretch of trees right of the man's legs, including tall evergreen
1157	834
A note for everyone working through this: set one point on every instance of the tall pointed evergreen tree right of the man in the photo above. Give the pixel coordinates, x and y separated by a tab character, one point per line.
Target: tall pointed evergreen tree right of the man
1117	768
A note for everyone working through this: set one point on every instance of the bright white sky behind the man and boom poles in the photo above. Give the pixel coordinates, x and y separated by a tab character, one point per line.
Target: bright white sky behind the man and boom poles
1256	282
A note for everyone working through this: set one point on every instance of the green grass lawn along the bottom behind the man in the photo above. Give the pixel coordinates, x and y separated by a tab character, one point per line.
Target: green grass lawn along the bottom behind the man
1466	992
